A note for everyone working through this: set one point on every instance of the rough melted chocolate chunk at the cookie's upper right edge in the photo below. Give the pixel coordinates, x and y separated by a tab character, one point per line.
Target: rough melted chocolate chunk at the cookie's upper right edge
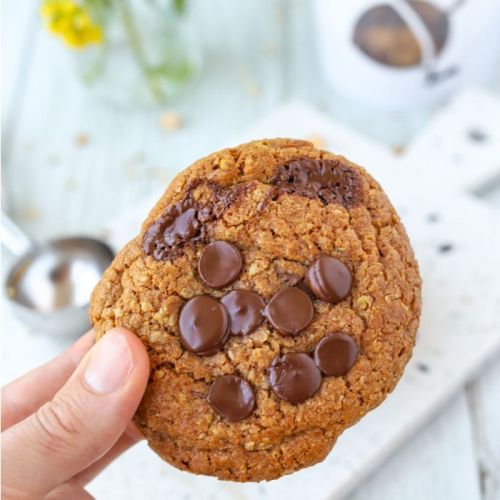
328	180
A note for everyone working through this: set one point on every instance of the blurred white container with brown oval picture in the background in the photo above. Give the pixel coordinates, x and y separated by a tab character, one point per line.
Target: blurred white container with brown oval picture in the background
405	54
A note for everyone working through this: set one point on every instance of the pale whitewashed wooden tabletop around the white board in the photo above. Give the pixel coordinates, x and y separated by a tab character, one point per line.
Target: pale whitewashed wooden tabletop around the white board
258	53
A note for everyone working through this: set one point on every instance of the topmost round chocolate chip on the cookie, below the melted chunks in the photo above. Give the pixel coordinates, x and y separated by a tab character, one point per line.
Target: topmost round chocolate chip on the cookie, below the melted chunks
220	264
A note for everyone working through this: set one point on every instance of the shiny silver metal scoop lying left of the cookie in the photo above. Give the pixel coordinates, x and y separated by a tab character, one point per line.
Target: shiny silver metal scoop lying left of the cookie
49	285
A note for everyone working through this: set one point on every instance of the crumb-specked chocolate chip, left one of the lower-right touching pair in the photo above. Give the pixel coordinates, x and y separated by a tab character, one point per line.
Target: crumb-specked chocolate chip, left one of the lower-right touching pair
294	377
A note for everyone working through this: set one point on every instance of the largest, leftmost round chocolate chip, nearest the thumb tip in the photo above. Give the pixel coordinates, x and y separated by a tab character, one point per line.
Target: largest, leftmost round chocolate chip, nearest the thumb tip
204	325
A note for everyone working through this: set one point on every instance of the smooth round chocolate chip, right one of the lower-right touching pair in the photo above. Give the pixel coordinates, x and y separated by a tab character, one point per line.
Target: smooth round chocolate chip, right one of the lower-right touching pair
335	354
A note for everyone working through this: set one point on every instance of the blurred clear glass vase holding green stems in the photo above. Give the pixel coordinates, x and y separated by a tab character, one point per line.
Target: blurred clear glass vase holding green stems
150	52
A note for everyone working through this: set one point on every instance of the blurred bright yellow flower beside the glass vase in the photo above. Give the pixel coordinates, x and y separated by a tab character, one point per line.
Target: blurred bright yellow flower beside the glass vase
72	22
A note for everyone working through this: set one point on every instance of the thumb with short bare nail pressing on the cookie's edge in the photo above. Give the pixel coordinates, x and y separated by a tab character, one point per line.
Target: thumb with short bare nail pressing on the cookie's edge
82	422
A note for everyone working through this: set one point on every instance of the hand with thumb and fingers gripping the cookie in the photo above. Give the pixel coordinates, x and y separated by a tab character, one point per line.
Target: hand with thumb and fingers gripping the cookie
65	421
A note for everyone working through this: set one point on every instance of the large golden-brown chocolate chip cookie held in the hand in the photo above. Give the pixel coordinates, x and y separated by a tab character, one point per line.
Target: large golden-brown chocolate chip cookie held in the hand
278	297
